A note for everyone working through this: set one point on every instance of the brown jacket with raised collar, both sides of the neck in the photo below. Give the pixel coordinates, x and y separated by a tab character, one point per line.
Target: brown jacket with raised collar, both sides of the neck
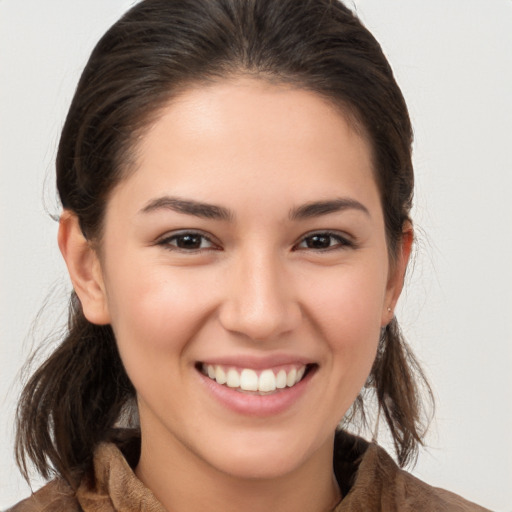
370	482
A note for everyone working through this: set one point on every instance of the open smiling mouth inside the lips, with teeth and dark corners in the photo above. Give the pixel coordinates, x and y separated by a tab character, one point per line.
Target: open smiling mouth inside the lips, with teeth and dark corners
257	382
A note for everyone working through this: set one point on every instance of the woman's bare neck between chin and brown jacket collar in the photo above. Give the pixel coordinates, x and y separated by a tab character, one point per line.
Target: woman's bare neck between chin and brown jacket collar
192	485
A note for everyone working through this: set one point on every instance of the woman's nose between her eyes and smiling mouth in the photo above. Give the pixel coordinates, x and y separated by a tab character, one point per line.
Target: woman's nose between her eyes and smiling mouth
259	301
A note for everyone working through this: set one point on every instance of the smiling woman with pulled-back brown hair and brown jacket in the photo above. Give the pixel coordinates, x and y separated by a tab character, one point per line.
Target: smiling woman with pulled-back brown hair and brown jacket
236	181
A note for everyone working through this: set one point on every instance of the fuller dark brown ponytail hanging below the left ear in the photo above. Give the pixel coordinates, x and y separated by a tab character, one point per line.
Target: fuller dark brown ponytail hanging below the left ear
72	401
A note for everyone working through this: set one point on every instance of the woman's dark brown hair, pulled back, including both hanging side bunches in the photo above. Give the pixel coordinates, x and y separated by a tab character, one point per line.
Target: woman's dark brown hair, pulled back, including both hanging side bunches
74	400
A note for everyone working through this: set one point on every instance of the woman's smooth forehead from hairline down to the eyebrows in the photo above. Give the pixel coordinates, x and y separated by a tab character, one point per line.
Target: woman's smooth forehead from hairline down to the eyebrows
230	138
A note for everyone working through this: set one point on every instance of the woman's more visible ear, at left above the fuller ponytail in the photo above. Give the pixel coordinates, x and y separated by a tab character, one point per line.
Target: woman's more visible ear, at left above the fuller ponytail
84	269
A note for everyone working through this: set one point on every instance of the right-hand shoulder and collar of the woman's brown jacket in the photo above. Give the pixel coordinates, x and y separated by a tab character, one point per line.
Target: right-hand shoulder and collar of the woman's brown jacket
378	484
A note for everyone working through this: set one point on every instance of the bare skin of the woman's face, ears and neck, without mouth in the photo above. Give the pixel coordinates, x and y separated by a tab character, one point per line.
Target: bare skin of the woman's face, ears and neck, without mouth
257	288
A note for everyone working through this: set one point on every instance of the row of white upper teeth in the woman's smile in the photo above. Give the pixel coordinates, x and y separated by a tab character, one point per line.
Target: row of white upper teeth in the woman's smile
248	380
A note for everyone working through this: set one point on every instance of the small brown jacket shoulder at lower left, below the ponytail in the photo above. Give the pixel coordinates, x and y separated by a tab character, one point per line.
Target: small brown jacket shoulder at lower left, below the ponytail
56	496
